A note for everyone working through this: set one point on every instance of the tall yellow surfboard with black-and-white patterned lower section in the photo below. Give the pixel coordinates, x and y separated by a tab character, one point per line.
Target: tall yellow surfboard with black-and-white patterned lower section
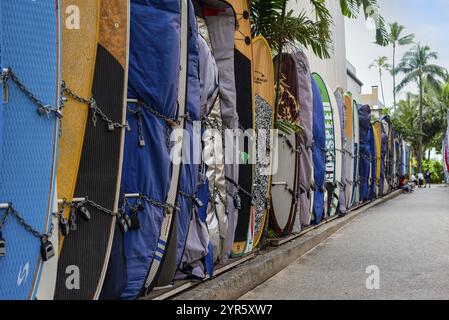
265	100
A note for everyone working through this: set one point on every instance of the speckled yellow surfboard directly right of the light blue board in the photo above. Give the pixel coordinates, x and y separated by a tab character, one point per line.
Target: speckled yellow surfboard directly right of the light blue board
79	49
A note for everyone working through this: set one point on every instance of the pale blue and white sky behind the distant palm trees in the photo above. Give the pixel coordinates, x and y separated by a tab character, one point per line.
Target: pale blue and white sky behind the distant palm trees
427	19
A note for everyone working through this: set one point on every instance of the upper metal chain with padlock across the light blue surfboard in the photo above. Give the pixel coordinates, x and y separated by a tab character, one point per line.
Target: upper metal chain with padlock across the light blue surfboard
43	109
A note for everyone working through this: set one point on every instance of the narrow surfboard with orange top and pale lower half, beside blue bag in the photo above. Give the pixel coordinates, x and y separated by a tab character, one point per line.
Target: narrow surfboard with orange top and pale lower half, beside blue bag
349	149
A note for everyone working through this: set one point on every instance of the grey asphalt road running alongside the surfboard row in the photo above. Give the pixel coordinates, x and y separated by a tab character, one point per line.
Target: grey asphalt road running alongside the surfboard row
397	250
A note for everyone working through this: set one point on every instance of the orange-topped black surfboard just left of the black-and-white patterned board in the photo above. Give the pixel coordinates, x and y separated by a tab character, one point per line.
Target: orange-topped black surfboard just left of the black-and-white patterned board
243	239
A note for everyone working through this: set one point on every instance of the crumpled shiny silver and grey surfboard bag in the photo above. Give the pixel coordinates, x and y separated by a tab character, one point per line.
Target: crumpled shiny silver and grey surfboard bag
206	236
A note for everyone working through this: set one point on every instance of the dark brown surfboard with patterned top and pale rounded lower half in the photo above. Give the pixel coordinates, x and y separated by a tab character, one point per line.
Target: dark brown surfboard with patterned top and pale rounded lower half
284	186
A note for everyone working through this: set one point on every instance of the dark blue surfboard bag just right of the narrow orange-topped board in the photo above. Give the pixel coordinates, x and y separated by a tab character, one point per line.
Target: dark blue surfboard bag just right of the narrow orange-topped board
365	151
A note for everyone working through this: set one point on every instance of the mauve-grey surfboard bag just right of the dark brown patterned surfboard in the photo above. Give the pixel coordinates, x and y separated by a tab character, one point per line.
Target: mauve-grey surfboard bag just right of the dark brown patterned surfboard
306	138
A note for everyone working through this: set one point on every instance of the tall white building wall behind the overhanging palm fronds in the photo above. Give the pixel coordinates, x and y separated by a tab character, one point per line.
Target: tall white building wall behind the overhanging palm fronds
332	70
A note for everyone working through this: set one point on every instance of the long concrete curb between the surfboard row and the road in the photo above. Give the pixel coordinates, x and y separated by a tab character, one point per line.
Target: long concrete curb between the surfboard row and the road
247	276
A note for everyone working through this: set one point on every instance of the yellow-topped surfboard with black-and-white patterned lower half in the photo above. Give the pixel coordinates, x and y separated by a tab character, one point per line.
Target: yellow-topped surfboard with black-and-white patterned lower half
263	88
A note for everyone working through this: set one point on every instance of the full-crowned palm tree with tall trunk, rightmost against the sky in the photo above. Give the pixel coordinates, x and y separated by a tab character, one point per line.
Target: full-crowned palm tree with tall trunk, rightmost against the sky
416	67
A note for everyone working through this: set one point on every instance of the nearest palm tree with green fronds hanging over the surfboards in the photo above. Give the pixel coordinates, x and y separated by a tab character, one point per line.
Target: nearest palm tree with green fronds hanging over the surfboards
282	28
